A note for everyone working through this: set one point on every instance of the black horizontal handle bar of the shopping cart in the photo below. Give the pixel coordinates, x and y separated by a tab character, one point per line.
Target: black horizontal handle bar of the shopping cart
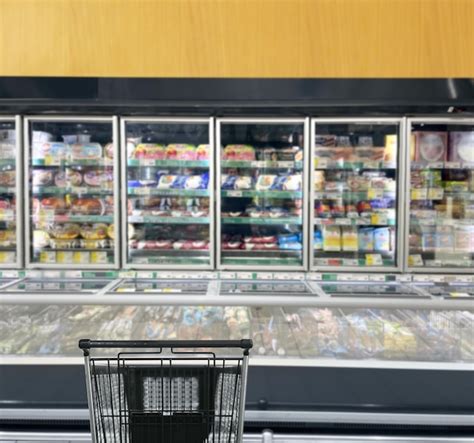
87	344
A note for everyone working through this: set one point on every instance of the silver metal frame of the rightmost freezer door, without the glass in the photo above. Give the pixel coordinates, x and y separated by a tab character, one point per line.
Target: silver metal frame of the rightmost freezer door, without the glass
428	120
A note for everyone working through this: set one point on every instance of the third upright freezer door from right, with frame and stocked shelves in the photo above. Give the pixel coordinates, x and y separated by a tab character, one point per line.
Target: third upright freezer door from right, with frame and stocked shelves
261	193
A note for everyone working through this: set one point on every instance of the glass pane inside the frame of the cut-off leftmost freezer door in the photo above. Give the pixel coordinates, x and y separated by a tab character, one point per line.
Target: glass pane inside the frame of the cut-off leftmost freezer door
8	245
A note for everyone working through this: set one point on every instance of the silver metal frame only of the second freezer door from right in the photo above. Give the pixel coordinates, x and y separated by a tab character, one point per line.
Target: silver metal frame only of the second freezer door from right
373	120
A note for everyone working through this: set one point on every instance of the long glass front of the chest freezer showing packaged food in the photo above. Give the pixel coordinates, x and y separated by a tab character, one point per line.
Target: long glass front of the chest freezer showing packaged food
297	334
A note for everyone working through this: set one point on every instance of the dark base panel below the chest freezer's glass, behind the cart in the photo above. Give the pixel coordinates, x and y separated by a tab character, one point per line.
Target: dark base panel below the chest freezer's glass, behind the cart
275	388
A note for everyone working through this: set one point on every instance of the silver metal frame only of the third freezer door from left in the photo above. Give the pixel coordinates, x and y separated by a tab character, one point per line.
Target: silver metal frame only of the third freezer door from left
183	120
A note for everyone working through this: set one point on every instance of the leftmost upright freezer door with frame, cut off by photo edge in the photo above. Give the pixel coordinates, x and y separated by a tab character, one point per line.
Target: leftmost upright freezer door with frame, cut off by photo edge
11	202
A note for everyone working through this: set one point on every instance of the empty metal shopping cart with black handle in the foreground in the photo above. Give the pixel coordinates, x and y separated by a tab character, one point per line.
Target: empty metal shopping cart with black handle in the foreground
166	391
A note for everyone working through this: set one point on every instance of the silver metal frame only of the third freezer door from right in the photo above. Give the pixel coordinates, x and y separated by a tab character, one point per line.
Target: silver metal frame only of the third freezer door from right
219	121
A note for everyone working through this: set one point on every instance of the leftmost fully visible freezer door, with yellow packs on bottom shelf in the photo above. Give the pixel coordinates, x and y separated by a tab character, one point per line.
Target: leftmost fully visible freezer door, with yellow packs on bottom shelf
71	185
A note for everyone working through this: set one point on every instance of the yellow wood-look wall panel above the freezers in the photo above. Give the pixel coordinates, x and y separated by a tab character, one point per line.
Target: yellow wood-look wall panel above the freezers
237	38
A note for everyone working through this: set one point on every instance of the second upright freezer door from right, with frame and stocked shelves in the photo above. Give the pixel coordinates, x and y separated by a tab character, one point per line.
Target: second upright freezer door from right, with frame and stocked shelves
355	186
